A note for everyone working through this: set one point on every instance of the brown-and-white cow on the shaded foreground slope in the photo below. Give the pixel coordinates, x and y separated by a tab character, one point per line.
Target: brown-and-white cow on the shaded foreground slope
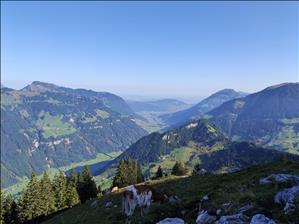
142	196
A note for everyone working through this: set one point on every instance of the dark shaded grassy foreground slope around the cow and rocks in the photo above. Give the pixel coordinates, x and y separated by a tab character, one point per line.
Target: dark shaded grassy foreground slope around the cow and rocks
237	188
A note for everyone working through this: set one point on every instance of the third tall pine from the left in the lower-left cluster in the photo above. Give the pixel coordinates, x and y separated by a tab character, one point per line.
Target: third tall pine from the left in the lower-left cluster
59	186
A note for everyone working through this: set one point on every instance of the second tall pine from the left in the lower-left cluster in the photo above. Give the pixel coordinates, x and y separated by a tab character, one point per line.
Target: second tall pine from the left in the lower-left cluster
47	195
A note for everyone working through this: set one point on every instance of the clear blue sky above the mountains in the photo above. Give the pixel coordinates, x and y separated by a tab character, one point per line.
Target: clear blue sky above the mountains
152	49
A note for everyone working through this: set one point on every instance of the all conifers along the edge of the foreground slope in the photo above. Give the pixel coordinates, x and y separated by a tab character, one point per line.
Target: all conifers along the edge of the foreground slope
42	197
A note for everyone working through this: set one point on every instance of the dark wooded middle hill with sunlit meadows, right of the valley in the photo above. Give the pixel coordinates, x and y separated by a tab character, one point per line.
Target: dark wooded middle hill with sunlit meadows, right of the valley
198	142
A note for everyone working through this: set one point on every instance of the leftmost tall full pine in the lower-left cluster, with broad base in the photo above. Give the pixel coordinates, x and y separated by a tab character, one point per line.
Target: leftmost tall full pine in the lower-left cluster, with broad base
30	200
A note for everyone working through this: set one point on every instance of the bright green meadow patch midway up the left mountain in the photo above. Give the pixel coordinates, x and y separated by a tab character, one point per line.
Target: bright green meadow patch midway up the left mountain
53	125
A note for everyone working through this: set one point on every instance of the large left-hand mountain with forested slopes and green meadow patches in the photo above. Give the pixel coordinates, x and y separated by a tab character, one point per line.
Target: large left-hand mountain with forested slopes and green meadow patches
44	125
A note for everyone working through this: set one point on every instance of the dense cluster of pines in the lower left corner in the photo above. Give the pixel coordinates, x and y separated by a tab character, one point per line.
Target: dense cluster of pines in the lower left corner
44	196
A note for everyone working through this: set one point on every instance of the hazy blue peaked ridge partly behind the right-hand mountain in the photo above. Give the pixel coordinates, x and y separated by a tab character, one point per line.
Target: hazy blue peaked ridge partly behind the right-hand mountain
204	106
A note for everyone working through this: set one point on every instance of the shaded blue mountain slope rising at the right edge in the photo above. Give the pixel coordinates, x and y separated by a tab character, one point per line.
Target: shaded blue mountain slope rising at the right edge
269	117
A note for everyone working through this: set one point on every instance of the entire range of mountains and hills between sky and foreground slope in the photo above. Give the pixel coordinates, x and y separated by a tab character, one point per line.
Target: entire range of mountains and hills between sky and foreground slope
45	126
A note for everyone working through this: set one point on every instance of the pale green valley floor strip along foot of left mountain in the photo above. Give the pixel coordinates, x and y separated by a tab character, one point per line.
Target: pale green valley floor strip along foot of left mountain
52	171
